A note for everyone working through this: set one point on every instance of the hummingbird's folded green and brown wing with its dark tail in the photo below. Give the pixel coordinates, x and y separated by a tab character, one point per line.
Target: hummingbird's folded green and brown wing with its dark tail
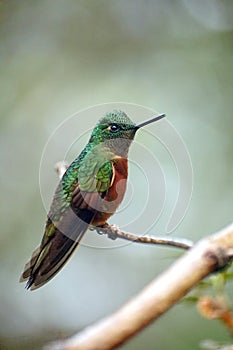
69	217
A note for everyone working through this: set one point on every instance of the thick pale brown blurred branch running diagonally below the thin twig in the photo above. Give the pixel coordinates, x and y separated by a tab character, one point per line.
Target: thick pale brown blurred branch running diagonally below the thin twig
208	255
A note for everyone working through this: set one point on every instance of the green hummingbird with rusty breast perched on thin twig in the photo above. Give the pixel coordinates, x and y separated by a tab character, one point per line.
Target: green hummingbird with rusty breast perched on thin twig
89	192
